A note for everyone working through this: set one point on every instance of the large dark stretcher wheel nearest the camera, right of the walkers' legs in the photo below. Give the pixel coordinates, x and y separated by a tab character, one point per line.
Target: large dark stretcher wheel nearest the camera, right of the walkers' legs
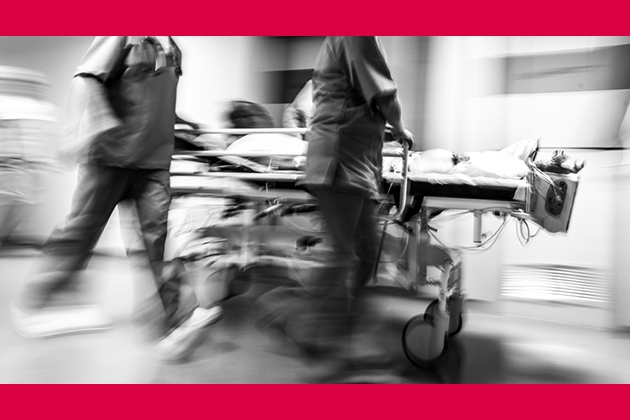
418	345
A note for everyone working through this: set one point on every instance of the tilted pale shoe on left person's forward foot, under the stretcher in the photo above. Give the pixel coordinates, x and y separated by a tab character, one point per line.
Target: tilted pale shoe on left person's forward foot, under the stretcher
184	340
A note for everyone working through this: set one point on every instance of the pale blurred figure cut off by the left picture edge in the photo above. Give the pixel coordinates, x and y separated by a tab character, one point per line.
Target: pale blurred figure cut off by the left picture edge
26	123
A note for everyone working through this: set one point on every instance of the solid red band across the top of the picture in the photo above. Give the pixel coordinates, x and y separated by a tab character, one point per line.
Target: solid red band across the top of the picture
321	17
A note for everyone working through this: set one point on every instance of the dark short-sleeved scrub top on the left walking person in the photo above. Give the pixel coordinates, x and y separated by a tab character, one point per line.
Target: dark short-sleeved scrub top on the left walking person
140	77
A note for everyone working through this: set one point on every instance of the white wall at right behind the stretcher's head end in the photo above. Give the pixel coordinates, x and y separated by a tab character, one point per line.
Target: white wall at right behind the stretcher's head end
485	93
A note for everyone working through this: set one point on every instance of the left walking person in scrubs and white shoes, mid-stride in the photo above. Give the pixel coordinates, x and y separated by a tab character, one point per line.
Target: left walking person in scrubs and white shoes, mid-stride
120	128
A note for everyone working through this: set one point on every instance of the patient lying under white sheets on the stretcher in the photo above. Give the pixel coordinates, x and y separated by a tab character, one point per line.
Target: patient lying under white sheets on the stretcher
286	152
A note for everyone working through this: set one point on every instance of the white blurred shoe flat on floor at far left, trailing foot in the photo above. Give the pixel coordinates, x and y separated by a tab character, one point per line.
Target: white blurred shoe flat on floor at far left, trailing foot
51	322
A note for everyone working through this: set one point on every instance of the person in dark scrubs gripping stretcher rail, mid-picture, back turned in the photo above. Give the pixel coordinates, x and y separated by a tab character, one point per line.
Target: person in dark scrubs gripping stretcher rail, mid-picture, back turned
354	96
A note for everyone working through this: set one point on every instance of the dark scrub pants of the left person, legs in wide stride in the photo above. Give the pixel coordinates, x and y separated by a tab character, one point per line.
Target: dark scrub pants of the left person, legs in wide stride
99	190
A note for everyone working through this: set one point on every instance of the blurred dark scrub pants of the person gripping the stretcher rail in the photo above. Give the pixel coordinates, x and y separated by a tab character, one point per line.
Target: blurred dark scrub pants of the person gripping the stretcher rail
319	313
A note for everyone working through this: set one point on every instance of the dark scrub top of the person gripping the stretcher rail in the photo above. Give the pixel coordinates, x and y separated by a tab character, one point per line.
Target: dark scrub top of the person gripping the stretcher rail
347	132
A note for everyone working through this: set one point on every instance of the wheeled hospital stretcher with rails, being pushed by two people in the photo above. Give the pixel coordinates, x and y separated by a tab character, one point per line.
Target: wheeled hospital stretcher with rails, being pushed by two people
544	199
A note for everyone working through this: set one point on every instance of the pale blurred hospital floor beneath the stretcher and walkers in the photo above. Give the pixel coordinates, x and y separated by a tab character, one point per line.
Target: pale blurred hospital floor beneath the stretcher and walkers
492	348
